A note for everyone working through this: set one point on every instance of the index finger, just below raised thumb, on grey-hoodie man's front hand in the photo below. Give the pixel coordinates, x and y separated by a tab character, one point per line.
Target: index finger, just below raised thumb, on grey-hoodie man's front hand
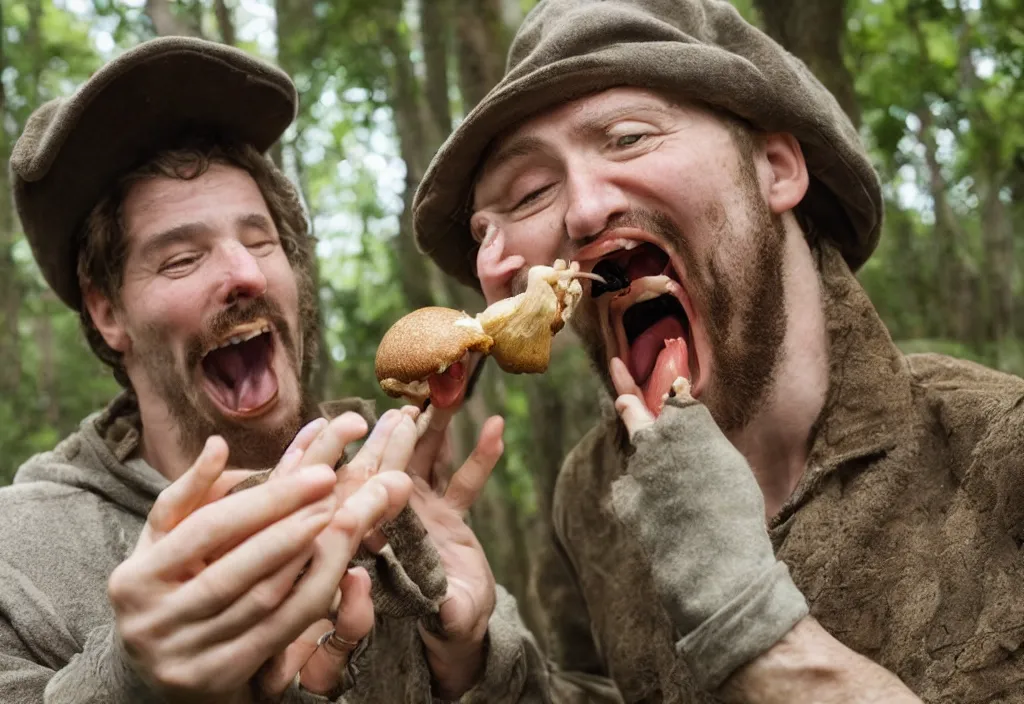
237	517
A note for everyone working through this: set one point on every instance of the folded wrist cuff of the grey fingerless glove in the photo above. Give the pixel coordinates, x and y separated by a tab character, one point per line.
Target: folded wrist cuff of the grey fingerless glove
750	625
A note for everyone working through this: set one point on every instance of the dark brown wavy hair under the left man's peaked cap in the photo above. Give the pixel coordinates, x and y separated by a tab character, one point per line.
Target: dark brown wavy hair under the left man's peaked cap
104	243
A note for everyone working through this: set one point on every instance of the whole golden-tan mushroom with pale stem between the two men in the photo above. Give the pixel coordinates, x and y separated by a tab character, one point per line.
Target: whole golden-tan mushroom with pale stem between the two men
518	332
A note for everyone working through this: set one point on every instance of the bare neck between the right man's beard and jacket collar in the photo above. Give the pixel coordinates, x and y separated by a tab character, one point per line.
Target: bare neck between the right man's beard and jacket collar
777	442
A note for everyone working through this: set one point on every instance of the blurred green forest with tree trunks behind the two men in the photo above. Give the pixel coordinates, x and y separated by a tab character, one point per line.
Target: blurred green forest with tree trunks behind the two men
932	84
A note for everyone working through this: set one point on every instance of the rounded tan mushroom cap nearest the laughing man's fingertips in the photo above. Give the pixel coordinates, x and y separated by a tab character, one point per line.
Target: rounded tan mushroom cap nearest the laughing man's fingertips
428	342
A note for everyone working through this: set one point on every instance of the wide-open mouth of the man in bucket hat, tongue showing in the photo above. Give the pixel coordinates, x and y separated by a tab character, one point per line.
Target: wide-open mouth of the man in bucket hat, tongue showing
647	317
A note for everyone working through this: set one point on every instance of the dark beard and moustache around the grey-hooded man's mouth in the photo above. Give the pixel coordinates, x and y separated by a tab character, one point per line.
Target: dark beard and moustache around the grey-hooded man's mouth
195	416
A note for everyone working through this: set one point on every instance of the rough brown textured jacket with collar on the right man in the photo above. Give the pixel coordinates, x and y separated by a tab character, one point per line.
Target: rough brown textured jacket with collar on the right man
906	534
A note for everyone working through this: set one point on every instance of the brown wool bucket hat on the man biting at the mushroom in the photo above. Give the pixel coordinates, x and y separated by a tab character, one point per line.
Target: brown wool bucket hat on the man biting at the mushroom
700	50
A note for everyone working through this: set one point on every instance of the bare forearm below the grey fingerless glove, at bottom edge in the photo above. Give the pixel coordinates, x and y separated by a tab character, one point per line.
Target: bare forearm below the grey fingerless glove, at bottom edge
809	666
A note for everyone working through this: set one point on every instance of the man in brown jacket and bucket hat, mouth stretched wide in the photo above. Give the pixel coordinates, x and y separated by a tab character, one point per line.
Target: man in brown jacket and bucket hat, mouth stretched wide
786	508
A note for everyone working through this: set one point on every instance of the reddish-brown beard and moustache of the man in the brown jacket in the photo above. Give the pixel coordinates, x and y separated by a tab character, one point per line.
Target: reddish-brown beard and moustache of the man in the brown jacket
744	315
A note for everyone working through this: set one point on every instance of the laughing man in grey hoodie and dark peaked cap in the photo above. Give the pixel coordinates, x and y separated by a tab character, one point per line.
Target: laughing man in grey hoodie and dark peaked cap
134	568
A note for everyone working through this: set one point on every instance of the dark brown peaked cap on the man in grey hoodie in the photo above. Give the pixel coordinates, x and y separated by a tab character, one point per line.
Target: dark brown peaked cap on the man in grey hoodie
73	150
